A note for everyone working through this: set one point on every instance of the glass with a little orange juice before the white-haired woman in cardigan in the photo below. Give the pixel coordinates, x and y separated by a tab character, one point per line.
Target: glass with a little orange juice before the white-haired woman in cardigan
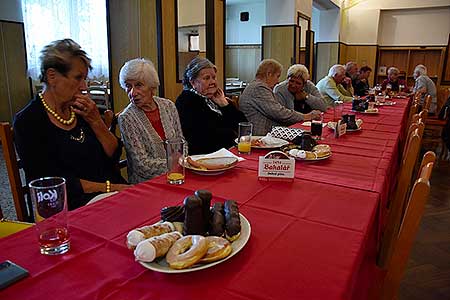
175	156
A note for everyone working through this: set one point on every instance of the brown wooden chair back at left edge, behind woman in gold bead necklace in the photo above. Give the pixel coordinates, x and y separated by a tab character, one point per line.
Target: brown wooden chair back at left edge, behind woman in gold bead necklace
23	208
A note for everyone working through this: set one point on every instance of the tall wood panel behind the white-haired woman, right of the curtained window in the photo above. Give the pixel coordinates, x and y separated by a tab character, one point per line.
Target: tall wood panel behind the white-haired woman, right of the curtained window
137	39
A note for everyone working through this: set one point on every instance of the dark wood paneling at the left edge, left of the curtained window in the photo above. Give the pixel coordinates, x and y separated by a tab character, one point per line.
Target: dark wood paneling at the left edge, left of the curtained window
14	86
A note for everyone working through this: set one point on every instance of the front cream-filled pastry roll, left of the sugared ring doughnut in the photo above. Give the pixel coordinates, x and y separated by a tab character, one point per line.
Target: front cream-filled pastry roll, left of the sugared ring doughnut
155	247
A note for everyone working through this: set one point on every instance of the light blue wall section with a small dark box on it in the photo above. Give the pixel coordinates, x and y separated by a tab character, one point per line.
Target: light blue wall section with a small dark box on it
249	32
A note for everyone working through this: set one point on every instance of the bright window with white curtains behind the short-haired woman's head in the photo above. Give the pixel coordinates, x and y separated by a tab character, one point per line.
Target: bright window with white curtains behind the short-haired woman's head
84	21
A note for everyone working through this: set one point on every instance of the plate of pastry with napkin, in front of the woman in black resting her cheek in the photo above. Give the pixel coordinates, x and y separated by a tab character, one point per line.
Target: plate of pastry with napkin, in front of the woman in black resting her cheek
209	165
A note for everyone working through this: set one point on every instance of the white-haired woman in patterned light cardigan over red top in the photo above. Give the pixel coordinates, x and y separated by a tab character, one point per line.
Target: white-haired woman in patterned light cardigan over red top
146	122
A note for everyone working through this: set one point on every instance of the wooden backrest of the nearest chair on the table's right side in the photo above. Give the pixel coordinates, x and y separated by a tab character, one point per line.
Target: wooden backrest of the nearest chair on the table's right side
405	237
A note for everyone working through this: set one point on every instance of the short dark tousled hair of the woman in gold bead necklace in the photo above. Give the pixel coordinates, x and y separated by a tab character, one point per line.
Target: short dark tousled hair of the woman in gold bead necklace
58	55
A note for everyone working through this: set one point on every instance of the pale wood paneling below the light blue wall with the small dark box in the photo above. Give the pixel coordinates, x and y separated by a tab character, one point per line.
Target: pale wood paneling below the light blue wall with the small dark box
242	61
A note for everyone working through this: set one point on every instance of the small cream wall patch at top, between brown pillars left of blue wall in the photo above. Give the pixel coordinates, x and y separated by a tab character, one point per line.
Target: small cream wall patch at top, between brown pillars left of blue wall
191	12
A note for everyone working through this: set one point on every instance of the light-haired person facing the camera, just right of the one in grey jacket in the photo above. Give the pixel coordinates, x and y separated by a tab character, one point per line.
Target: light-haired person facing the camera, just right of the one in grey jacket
298	93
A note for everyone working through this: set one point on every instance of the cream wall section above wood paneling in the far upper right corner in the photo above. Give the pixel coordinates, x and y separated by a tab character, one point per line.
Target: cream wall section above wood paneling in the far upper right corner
403	27
